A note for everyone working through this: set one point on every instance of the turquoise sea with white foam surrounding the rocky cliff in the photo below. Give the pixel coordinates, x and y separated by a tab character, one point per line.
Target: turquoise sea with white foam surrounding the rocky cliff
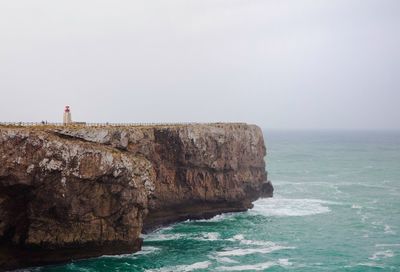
336	208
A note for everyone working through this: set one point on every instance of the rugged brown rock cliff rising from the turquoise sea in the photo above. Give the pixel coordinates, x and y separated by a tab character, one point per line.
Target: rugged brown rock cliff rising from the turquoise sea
79	192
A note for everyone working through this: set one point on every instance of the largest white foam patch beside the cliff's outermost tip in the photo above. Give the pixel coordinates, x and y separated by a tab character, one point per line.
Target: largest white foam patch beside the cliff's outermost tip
290	207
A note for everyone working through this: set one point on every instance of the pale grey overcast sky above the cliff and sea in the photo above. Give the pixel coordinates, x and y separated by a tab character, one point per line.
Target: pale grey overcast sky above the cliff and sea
279	64
